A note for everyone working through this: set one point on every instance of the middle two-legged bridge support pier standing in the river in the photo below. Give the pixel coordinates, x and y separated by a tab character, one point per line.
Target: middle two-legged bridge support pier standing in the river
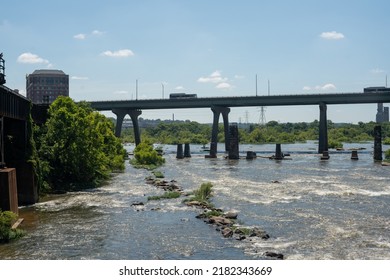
214	134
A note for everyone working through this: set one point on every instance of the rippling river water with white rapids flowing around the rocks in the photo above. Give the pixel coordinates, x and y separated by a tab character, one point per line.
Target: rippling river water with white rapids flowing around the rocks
334	209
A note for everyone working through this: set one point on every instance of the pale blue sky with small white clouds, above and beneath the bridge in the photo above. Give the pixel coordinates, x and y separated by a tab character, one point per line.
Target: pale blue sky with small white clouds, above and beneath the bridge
211	48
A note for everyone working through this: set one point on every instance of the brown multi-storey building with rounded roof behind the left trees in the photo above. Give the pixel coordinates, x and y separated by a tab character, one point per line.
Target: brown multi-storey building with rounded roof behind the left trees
44	86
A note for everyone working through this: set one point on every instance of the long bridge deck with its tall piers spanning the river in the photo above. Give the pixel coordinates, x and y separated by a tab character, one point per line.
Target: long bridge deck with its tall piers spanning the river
221	105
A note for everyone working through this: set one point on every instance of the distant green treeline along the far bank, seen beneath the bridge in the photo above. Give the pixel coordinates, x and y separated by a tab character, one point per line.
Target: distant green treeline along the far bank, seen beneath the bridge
272	132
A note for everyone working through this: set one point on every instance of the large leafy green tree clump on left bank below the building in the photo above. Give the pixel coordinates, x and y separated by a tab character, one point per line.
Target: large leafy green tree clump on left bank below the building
76	147
